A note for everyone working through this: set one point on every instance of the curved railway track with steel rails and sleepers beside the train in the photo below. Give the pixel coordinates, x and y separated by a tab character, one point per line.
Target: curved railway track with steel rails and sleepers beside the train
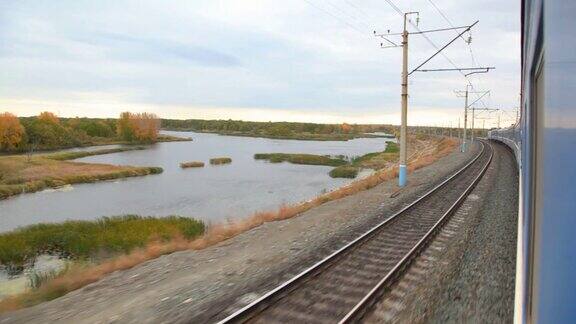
346	284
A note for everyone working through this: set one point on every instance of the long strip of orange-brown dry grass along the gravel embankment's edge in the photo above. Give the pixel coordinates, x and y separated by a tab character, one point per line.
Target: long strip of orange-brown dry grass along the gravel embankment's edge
81	276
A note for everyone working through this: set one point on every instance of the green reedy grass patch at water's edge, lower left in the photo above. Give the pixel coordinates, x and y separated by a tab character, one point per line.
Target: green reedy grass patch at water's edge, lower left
87	239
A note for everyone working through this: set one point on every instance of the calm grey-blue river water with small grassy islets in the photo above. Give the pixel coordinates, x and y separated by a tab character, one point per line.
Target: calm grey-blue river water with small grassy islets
212	193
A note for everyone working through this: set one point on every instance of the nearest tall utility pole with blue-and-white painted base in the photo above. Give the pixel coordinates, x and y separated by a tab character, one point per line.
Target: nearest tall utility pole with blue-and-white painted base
402	172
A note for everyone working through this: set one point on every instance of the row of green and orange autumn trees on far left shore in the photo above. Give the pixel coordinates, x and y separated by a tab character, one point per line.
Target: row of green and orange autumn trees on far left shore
47	131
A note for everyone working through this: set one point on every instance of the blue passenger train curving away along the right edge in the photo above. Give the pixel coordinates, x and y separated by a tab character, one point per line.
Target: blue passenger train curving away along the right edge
544	142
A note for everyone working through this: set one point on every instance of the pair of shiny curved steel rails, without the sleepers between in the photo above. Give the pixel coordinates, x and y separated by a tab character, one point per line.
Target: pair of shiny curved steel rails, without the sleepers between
261	304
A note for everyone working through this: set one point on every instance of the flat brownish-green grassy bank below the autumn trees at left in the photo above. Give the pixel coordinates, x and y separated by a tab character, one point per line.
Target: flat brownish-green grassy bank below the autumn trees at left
22	174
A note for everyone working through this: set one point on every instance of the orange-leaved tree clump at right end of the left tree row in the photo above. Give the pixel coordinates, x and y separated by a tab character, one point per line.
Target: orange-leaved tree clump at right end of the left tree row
141	127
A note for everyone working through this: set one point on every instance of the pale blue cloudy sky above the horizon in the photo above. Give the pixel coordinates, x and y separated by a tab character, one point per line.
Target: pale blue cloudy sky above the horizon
262	60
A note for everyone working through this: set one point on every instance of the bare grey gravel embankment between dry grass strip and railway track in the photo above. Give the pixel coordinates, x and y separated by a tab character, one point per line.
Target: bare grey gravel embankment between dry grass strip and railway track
209	284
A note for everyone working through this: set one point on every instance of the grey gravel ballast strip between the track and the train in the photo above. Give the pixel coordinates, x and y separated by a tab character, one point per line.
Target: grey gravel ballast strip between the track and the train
467	273
